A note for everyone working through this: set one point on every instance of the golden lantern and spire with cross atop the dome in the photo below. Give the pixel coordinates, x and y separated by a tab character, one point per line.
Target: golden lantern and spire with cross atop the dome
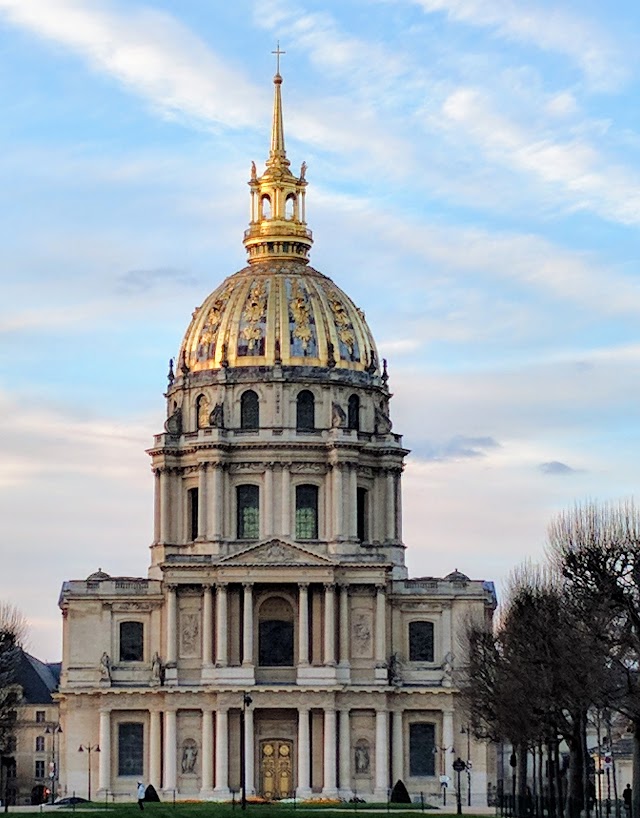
277	228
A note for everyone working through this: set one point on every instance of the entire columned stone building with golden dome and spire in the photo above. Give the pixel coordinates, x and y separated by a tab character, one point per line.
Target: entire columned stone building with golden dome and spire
277	641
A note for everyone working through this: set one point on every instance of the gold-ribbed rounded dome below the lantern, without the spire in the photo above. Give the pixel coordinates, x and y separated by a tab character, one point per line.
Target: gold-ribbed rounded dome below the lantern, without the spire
279	312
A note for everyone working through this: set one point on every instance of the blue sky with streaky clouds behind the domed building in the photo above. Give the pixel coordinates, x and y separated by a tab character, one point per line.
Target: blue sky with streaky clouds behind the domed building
474	186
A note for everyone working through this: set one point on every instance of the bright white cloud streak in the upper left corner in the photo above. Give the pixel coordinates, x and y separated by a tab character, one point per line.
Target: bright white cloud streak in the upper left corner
151	53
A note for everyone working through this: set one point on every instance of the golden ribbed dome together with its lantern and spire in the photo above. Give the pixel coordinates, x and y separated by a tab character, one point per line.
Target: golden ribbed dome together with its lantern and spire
278	311
